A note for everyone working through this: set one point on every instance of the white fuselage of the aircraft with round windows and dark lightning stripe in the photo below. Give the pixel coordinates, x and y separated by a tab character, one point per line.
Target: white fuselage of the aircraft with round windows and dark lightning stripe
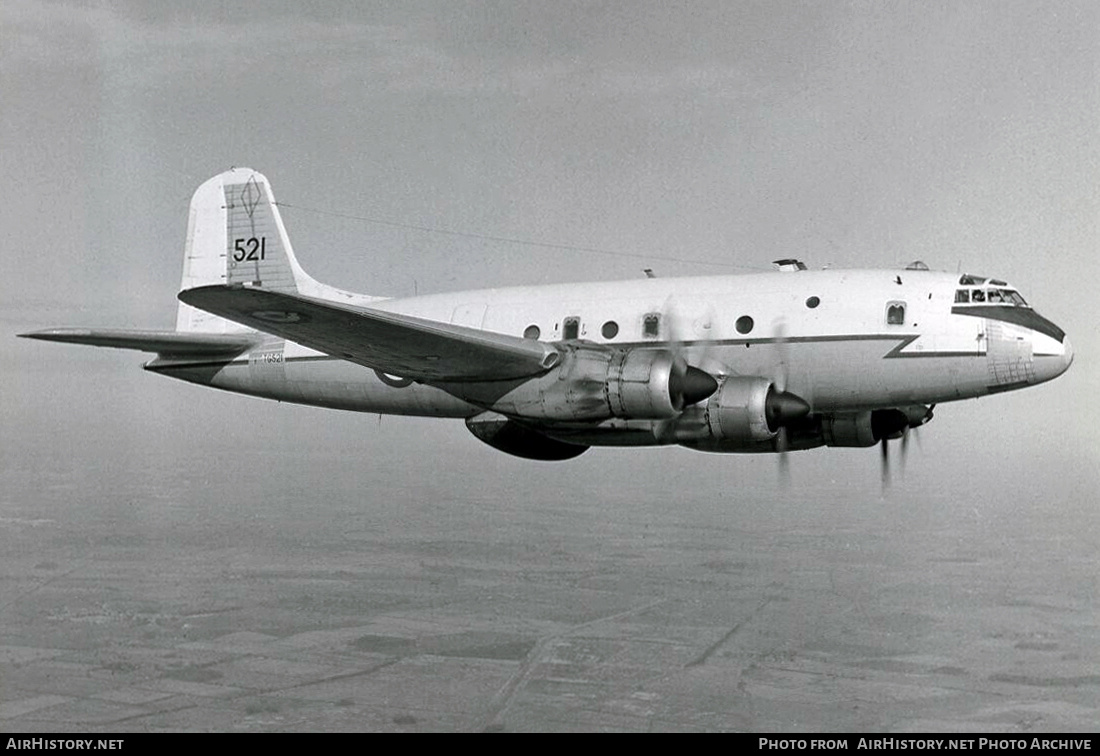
843	341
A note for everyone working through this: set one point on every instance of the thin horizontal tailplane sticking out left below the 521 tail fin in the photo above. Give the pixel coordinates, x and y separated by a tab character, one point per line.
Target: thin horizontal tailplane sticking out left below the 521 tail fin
170	344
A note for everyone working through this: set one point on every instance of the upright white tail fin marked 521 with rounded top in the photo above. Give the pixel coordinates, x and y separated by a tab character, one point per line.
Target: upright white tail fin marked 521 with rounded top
236	236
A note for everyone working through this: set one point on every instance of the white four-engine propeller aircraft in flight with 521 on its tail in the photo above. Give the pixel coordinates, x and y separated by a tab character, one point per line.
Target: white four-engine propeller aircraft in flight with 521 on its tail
734	364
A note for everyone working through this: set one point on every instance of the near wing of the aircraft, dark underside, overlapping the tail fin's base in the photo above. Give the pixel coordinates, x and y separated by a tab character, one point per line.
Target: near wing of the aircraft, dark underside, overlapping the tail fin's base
401	345
